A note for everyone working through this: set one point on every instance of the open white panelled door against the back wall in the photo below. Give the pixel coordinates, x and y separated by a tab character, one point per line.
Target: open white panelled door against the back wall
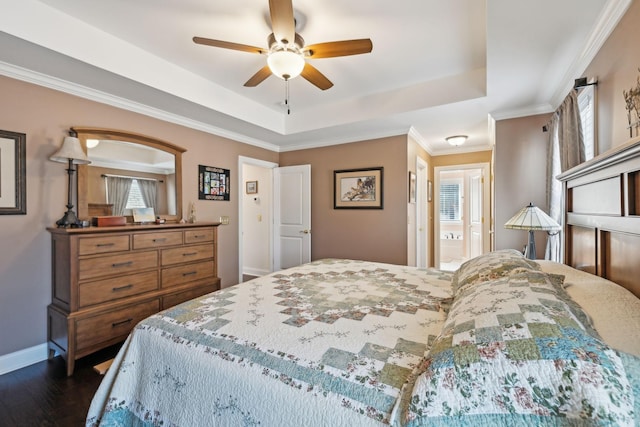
292	216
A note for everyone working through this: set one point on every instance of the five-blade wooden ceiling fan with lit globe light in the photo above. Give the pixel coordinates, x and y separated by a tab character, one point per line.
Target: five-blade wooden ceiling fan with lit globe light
287	53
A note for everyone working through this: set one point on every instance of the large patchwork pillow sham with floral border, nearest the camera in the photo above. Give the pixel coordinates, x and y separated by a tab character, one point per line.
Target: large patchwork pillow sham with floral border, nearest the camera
513	352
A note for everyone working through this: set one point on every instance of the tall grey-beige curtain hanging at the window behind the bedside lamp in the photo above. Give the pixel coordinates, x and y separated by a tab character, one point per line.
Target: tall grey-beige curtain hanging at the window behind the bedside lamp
565	150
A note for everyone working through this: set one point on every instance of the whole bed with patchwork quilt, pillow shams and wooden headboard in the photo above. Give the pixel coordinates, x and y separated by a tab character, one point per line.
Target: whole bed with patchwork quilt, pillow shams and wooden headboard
501	341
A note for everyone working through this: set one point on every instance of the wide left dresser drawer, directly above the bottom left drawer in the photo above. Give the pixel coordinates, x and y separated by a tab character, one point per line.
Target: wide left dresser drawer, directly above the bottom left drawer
100	291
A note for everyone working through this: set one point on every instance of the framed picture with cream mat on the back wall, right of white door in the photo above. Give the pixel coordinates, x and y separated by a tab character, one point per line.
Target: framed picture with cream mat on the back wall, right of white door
358	188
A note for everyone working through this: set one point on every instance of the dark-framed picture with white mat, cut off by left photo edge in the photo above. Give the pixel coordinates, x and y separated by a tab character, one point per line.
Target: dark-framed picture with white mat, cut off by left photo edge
13	183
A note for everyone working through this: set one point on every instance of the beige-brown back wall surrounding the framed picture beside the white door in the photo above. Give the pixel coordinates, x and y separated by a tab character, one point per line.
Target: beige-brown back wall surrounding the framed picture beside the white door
371	234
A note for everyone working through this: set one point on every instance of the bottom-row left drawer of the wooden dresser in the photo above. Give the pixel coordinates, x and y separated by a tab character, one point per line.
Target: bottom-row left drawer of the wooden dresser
94	330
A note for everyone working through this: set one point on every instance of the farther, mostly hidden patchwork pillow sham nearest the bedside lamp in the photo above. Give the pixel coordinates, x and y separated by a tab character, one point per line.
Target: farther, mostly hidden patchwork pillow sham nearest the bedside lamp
490	266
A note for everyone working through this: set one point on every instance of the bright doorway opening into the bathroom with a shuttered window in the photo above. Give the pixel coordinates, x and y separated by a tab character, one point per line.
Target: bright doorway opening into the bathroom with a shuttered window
461	206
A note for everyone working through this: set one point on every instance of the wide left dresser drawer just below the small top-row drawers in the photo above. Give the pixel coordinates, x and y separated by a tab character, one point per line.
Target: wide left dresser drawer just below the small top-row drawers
117	264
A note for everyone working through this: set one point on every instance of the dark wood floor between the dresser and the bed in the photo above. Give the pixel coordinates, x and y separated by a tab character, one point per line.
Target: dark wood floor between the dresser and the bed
42	394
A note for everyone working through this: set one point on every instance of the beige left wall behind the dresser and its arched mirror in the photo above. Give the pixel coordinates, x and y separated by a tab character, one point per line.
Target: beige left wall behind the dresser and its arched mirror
45	115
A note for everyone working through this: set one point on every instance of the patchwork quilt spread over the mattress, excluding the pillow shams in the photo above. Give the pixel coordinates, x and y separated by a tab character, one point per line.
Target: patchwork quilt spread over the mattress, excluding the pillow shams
333	342
